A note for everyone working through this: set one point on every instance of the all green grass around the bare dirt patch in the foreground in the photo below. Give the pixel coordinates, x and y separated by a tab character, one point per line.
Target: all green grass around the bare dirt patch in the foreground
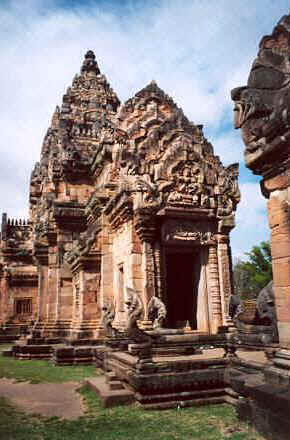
217	422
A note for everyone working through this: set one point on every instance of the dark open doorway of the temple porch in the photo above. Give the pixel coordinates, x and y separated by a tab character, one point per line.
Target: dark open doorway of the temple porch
181	289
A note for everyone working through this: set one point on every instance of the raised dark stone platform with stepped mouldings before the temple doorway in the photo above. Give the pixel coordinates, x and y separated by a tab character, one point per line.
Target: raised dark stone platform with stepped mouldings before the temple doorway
168	381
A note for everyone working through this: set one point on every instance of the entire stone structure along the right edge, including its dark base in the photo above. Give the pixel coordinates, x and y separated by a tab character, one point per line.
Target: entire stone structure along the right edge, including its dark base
262	111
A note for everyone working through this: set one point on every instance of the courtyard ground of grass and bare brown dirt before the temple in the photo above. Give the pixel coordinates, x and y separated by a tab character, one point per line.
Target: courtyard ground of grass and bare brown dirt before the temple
39	401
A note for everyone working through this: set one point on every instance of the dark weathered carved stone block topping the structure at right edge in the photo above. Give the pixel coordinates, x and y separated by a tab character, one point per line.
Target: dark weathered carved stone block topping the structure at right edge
262	108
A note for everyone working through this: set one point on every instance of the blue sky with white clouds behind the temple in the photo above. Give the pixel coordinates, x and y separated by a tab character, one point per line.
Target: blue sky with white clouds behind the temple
196	50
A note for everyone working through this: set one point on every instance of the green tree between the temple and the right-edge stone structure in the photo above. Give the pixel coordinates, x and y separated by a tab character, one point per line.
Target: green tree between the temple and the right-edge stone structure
251	276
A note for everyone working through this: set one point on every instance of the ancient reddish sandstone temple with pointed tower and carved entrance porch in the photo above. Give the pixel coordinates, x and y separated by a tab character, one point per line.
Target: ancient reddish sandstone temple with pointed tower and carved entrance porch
124	197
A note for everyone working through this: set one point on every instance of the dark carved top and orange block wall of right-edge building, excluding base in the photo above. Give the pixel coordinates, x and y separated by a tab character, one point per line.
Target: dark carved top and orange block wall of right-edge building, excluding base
262	111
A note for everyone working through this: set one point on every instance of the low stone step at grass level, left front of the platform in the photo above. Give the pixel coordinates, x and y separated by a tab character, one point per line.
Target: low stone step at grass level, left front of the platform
110	397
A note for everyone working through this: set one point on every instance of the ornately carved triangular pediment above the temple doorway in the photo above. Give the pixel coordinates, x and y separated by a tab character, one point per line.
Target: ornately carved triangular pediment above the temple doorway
165	159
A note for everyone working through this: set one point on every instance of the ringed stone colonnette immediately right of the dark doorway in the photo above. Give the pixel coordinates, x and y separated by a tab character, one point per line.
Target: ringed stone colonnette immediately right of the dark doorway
214	290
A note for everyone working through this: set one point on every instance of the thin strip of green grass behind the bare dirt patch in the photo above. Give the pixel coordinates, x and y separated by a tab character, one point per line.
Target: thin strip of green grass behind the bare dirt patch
42	371
